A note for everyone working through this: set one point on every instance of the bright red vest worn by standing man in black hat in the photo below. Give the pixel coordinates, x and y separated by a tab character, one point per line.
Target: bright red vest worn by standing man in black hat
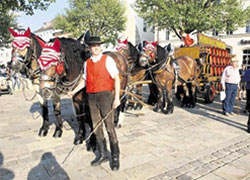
98	77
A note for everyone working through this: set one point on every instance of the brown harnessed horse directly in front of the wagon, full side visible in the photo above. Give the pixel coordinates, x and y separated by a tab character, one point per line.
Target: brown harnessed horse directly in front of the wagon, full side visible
168	72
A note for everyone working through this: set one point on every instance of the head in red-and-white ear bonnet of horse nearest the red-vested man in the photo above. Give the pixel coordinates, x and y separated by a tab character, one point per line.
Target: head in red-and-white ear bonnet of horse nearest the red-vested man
51	65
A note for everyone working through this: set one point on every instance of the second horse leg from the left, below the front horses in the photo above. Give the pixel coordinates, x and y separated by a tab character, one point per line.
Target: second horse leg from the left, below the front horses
57	110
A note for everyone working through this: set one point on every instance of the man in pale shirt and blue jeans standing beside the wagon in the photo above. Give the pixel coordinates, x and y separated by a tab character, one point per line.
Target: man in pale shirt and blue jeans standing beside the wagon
230	81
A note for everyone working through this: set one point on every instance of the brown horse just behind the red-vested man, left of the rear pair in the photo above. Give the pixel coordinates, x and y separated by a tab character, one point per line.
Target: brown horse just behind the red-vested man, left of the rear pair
136	73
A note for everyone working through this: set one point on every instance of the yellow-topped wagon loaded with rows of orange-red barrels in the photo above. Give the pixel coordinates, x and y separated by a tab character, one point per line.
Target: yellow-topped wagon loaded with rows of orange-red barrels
214	57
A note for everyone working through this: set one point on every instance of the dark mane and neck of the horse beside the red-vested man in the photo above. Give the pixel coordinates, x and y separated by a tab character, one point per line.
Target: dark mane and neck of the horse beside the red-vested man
74	57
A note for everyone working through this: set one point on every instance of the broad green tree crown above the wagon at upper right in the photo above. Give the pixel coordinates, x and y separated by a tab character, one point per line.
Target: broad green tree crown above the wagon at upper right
193	15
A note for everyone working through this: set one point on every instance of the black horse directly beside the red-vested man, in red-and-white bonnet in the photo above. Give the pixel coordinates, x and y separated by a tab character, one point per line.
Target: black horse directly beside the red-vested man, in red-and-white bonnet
62	75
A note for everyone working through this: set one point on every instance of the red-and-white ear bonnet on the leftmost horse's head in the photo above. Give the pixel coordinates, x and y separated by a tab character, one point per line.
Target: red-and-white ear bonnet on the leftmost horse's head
21	38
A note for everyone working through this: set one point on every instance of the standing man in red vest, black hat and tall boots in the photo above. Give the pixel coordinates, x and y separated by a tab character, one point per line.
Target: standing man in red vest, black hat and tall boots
102	77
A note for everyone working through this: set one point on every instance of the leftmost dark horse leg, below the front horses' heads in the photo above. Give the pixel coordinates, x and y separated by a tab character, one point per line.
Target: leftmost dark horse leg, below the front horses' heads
45	127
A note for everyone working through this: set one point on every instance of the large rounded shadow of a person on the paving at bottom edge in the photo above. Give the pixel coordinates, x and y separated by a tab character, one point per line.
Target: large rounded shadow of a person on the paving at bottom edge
48	169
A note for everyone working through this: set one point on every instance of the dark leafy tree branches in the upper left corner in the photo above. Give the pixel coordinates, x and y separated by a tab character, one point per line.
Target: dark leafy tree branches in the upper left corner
8	19
